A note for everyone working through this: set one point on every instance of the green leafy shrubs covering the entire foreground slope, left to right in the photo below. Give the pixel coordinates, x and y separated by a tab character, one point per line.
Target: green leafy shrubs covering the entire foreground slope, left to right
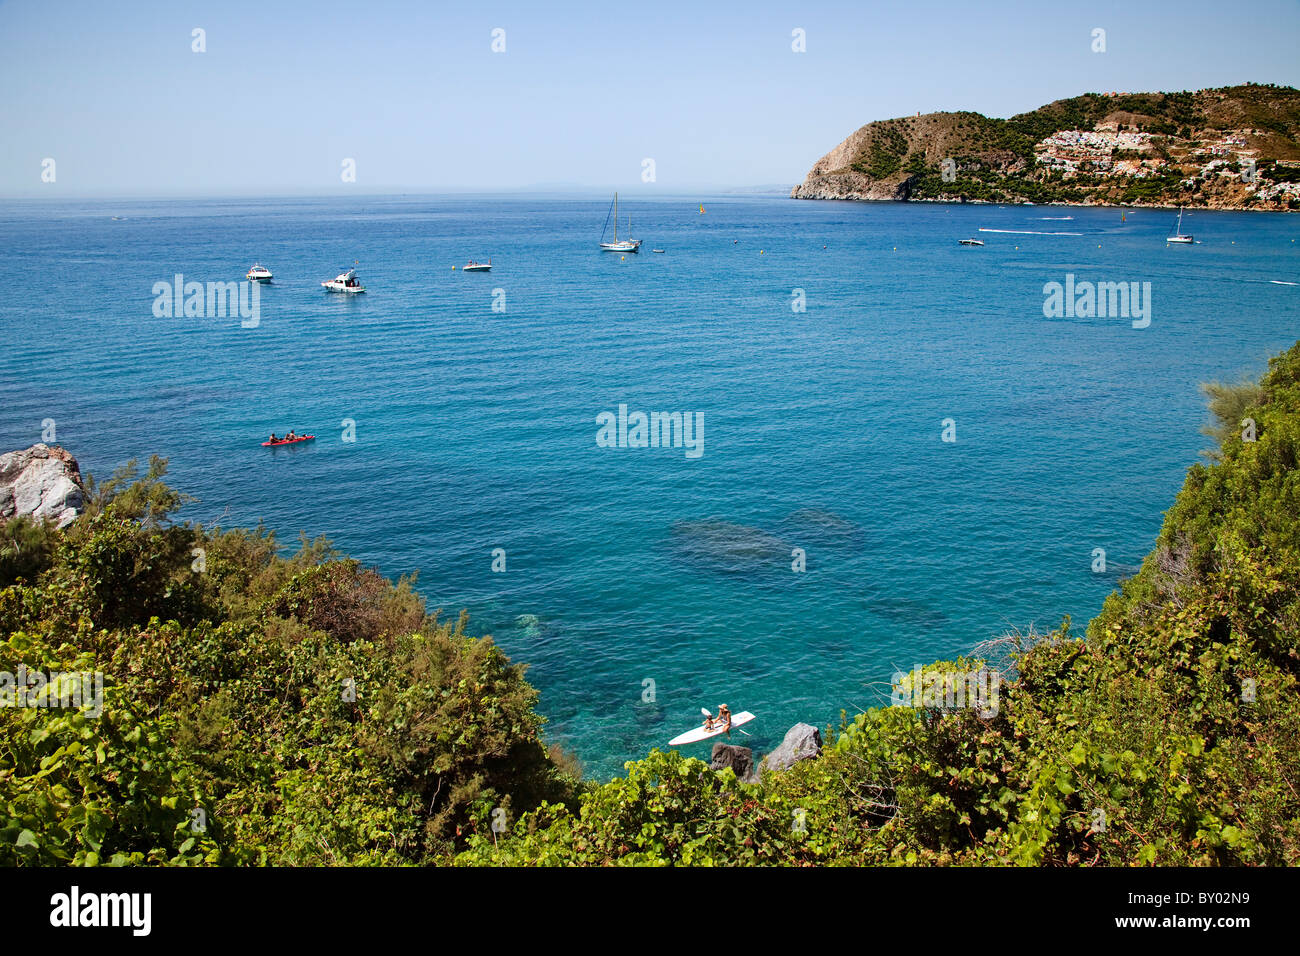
317	715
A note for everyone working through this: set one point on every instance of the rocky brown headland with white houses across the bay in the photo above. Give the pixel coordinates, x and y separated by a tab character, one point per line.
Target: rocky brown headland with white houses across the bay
1182	161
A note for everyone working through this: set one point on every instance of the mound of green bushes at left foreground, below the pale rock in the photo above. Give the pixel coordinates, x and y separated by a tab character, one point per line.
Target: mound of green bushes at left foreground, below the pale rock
304	710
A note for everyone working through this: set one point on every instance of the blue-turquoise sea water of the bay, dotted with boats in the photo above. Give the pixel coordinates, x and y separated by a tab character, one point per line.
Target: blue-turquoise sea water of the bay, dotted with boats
476	430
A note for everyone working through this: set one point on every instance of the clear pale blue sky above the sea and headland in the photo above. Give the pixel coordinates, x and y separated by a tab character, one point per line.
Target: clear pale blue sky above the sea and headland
584	92
